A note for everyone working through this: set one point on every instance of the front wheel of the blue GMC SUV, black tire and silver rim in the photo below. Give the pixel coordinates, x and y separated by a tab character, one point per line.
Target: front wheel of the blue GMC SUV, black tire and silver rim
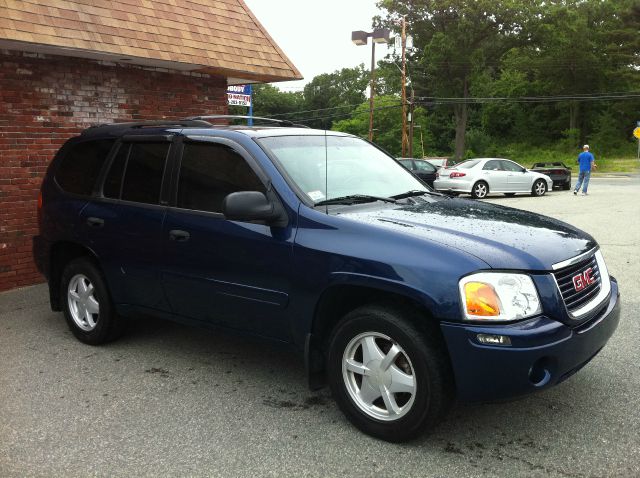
423	354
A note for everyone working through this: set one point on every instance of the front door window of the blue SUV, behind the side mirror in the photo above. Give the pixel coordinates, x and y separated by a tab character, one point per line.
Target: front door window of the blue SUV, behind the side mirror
211	171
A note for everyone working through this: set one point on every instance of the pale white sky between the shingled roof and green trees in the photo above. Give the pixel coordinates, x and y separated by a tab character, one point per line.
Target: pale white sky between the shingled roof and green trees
316	35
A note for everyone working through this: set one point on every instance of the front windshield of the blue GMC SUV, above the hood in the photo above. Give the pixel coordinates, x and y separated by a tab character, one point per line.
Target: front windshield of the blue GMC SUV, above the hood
327	167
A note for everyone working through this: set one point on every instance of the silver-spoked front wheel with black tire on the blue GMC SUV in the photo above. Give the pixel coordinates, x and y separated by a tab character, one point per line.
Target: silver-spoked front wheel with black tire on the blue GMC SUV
390	379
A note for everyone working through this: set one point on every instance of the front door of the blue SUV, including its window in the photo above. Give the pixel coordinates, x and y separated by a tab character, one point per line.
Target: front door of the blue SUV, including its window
230	273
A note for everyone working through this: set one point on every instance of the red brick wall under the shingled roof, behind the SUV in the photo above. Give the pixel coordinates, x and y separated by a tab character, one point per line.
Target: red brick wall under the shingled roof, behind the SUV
44	100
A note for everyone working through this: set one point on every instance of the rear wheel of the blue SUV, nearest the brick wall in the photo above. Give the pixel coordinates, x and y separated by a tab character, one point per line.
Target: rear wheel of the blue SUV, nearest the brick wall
107	325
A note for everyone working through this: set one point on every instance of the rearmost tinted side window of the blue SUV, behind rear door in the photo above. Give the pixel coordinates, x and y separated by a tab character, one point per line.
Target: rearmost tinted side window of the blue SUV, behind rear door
81	166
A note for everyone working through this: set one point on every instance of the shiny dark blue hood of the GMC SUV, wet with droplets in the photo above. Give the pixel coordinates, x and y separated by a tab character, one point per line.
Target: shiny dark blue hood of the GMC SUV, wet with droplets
502	237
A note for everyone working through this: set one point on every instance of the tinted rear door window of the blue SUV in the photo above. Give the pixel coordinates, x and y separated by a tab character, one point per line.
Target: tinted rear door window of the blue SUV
136	172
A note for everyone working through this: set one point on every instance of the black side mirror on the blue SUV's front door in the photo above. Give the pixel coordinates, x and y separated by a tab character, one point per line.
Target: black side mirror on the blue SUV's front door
252	206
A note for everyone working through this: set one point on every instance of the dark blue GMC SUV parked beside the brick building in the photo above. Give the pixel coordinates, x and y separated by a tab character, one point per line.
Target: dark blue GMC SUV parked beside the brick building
400	298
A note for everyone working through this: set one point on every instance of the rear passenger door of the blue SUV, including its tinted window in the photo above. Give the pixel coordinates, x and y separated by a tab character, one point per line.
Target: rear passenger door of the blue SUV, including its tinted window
124	223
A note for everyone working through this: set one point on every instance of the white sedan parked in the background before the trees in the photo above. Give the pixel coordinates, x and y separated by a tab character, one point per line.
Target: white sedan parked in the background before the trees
482	176
